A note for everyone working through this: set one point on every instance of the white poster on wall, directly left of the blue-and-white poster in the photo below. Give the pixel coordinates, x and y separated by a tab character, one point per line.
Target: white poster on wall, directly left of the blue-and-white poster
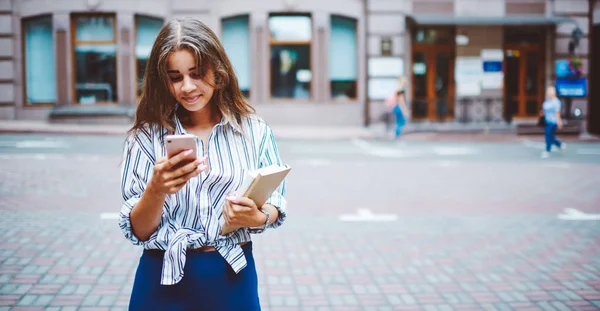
468	74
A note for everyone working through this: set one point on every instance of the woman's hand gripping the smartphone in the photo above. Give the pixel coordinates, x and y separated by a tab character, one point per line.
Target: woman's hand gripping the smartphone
169	177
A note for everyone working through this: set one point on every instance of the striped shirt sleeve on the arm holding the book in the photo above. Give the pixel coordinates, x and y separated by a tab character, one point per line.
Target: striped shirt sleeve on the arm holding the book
269	154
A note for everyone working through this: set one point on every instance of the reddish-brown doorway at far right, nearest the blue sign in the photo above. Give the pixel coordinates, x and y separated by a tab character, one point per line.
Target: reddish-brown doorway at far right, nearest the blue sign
523	73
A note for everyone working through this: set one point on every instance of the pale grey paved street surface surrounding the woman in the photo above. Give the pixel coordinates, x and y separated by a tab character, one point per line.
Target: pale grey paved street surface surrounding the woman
372	225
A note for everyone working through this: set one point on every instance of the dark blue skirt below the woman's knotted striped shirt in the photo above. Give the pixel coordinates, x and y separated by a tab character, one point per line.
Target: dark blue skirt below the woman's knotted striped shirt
208	284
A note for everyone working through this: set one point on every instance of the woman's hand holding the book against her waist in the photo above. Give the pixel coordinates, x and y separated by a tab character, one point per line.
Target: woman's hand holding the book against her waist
242	212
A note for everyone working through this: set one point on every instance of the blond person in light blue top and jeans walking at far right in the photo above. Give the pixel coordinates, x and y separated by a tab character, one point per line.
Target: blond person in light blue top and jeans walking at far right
551	112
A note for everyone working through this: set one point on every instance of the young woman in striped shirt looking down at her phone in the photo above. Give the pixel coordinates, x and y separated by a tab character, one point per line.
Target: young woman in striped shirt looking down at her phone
172	207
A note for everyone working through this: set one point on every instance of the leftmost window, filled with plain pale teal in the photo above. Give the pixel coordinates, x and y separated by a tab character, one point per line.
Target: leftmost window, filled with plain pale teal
40	71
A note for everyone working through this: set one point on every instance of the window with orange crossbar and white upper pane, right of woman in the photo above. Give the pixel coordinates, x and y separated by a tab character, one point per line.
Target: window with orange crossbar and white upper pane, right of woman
290	38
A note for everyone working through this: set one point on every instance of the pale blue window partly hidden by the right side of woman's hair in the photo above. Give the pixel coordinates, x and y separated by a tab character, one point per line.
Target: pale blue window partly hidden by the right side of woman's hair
236	40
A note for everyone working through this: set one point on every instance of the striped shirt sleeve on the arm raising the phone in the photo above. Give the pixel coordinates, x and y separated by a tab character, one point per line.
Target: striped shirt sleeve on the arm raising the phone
136	170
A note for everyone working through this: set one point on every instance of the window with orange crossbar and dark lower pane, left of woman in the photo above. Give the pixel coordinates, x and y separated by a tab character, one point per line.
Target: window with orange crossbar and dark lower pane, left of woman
95	52
